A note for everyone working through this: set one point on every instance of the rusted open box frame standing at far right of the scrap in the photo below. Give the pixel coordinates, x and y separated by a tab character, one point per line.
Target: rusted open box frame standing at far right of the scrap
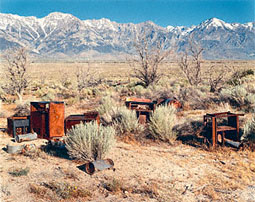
222	133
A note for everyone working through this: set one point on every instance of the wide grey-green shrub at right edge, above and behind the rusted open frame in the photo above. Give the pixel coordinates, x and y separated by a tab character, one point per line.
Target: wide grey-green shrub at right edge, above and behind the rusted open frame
239	96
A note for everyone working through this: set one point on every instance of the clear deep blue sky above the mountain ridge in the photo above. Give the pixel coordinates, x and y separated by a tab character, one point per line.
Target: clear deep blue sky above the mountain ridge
161	12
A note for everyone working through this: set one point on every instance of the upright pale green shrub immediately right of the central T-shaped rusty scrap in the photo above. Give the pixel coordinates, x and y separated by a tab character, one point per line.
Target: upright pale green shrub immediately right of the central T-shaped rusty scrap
162	122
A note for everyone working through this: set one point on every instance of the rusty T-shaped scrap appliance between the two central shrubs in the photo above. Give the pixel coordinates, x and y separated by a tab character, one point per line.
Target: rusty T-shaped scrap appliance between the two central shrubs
143	108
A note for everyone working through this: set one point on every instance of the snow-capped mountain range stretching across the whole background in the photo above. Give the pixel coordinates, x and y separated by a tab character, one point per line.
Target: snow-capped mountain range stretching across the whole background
60	35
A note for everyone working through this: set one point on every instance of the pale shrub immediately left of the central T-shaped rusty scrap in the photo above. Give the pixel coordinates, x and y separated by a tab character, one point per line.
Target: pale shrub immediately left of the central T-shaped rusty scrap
125	121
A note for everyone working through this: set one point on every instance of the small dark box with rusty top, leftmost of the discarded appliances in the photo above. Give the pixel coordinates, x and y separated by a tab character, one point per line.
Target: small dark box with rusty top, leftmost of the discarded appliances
18	125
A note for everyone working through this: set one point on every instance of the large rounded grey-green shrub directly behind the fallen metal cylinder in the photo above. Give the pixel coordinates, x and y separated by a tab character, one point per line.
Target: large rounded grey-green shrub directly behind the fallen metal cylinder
89	141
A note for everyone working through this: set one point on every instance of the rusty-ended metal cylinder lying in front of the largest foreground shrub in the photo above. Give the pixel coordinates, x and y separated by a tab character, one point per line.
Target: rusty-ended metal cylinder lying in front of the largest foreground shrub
98	165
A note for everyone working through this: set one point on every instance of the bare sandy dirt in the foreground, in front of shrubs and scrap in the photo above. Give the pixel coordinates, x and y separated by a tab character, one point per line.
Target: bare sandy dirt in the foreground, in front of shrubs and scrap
148	172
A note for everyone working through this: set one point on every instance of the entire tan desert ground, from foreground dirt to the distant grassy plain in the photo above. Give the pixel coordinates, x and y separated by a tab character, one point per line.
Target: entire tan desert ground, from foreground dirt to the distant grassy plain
145	169
